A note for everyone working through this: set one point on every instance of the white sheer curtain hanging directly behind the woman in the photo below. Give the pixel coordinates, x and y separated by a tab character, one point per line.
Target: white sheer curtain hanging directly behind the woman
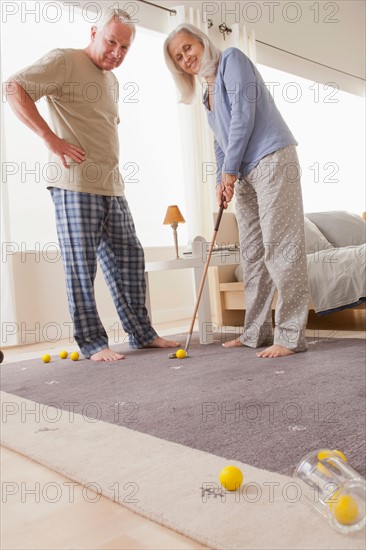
199	166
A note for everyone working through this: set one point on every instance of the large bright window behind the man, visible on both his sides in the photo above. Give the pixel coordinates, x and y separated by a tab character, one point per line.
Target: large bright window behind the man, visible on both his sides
150	155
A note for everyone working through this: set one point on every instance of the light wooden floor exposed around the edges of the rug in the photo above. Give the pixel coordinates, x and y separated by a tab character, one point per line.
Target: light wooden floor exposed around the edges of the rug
72	521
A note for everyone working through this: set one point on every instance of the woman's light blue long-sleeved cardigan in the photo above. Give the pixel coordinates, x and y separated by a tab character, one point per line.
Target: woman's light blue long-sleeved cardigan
246	123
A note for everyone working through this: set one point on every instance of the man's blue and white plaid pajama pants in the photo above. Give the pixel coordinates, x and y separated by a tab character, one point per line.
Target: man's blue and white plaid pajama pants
97	227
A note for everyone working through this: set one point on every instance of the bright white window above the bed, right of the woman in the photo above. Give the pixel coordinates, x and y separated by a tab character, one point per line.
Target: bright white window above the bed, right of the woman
329	127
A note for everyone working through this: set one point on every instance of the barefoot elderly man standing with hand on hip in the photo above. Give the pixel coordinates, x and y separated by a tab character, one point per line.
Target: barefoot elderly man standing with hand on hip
92	215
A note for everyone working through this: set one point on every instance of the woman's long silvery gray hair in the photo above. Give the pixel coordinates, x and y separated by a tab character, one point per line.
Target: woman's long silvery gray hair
186	83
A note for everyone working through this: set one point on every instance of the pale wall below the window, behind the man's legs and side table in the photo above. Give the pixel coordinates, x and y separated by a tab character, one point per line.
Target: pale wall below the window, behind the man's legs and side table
41	303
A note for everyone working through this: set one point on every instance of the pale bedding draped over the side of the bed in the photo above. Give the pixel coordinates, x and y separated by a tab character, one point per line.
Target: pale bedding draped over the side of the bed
337	276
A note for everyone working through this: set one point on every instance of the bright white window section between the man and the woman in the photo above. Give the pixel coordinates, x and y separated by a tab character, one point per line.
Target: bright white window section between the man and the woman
151	158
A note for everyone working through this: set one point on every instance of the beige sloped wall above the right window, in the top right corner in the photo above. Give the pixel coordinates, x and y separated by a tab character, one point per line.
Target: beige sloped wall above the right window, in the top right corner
330	33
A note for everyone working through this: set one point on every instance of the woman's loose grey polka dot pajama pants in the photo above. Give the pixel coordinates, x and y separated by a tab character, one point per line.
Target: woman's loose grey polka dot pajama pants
272	241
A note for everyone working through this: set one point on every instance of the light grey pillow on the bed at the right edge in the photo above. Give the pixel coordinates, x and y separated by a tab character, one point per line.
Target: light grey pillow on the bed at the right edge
340	228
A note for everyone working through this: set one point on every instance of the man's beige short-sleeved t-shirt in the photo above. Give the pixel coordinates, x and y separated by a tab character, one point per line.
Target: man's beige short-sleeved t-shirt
83	106
